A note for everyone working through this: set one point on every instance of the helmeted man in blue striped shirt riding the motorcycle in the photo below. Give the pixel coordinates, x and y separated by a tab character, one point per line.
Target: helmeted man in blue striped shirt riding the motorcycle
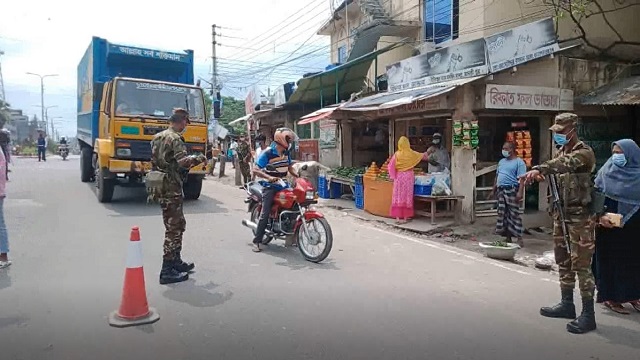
273	164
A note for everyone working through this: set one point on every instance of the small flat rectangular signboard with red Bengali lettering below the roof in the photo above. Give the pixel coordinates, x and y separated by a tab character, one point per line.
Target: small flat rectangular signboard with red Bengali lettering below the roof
511	97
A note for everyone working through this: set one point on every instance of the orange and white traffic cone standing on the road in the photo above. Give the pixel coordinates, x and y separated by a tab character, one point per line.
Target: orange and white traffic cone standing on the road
134	309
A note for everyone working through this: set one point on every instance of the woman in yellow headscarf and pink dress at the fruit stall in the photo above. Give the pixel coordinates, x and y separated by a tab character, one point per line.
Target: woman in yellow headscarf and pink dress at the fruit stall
401	172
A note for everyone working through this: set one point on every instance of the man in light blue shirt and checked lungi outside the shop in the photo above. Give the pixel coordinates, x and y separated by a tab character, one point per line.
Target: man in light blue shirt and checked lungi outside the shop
509	194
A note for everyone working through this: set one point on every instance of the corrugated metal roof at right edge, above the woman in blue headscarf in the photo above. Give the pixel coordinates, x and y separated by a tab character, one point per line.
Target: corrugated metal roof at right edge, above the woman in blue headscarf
622	92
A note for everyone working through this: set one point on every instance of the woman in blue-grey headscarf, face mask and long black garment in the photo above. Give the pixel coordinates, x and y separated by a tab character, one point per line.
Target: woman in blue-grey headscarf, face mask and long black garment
616	262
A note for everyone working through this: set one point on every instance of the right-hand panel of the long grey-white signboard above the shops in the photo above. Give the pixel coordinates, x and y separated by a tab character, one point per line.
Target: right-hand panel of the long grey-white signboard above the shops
521	44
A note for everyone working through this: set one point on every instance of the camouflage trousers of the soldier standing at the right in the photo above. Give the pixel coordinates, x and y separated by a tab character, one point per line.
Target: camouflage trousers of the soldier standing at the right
581	235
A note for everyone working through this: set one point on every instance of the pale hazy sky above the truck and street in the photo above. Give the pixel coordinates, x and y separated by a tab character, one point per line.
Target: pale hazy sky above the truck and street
50	37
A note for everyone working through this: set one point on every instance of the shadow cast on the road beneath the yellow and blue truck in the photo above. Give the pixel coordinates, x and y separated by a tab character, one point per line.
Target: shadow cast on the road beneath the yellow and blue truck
133	202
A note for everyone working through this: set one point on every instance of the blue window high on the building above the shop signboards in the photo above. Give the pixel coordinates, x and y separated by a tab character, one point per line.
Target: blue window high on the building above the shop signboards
441	20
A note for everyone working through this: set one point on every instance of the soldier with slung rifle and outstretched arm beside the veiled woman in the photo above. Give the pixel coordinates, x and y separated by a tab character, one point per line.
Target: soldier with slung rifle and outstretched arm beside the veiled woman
572	166
